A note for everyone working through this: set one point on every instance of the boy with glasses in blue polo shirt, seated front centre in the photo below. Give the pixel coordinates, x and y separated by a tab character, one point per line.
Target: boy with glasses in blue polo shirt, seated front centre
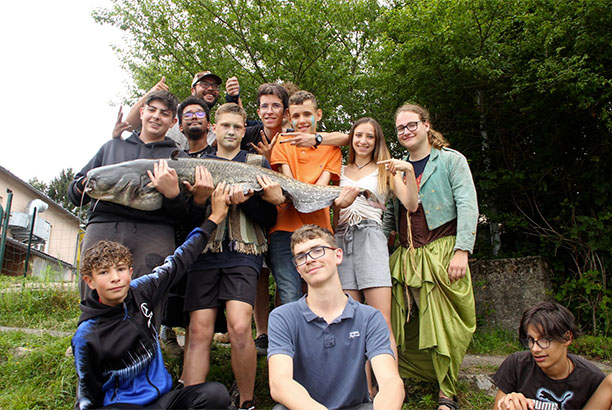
318	345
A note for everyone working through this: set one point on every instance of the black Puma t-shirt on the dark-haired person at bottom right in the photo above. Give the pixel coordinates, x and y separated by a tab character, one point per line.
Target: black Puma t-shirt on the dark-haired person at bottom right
521	374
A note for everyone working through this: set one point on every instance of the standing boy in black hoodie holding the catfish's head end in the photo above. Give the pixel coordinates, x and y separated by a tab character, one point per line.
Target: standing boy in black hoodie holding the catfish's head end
148	234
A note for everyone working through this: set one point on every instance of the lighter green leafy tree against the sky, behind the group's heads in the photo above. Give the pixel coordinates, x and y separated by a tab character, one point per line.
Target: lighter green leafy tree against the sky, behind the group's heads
319	45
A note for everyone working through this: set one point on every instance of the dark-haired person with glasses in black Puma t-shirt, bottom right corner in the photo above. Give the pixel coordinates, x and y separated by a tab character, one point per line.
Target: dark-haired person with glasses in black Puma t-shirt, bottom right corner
546	376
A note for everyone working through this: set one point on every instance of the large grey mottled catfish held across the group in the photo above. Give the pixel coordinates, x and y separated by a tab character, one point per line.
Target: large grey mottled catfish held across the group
127	183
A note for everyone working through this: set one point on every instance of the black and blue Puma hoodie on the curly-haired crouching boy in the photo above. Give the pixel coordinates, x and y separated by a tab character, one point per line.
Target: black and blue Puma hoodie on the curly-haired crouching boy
116	348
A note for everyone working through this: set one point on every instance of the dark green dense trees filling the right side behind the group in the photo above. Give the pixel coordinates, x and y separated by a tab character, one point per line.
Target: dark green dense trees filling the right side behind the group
523	88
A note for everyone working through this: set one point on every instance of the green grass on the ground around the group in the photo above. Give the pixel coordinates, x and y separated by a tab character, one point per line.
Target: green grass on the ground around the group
38	375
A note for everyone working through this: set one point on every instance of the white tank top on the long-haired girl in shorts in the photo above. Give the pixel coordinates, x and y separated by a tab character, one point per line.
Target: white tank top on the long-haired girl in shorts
361	209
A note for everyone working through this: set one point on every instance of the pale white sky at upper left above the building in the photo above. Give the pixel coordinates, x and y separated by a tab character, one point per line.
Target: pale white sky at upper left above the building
64	84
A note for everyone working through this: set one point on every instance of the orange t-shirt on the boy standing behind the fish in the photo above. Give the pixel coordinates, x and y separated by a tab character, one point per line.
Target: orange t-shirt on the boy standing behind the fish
307	164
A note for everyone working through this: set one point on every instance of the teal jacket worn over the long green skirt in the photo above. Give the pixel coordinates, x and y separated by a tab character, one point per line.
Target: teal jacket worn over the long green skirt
447	192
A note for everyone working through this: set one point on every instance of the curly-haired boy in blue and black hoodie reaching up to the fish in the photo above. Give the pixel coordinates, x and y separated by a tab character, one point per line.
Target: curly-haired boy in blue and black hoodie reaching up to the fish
116	347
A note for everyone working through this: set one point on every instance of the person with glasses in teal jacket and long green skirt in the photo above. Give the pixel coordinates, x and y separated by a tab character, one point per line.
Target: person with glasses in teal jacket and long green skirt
432	313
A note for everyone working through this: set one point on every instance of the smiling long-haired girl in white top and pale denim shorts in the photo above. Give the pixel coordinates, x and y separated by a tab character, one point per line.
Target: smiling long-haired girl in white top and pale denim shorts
364	272
